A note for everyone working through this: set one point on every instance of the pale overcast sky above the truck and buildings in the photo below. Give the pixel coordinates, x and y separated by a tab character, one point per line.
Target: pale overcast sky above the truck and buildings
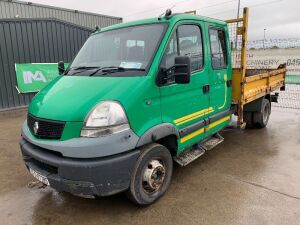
280	18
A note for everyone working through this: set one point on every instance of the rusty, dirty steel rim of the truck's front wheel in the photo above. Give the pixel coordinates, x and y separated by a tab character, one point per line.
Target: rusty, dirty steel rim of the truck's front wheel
154	175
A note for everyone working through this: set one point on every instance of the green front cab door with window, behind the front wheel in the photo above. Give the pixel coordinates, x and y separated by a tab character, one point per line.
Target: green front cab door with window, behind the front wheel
186	105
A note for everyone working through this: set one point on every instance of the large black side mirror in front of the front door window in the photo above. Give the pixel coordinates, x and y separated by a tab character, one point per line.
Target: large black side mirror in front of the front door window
182	69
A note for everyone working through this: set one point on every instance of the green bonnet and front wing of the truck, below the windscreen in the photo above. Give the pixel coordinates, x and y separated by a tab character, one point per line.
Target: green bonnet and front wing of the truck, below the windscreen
70	99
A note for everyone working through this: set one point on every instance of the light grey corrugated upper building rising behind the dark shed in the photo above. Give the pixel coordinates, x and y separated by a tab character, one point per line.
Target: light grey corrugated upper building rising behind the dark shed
9	9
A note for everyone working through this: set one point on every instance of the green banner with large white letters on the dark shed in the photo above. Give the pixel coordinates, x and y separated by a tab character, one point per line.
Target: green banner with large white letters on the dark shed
32	77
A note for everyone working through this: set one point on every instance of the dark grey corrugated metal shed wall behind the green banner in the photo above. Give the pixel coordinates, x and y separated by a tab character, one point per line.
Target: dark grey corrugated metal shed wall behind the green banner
33	41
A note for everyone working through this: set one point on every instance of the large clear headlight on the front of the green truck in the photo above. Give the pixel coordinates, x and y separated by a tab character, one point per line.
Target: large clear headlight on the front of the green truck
106	118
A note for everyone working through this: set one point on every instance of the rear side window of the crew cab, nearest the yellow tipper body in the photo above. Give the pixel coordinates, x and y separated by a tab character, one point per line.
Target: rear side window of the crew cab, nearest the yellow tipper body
218	49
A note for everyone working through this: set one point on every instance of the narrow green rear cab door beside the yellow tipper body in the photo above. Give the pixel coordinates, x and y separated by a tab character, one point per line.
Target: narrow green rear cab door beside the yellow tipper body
219	78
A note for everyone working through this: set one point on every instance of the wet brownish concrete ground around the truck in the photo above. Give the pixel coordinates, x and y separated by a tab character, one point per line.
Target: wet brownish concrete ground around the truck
253	177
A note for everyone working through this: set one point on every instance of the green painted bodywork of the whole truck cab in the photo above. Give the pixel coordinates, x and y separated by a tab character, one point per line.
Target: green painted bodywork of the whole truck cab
70	98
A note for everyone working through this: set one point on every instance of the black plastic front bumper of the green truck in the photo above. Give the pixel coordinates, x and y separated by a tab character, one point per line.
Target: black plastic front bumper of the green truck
99	176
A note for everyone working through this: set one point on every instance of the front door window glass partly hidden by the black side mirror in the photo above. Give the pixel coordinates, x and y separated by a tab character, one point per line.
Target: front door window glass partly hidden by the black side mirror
186	41
